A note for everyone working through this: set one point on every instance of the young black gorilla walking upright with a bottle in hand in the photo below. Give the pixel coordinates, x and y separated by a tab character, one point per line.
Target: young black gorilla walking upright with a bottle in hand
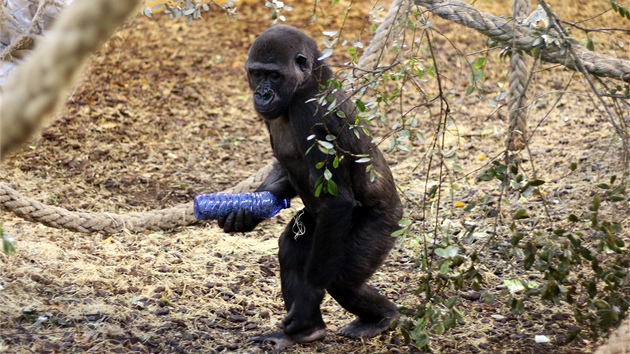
346	236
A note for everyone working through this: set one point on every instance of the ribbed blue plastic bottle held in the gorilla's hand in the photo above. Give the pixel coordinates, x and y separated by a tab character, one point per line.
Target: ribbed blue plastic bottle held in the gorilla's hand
261	205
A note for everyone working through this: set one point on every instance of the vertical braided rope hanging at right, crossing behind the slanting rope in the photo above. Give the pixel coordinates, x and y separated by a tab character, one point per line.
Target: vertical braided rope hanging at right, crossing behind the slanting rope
517	80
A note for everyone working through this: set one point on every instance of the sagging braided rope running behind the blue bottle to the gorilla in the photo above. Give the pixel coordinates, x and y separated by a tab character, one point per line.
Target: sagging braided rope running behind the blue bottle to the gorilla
181	215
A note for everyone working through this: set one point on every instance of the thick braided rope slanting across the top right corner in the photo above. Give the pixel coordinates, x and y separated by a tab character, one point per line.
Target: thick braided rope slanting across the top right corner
518	36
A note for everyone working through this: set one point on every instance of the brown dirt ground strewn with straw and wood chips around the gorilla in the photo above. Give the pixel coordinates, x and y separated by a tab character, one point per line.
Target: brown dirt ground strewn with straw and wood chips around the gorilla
163	113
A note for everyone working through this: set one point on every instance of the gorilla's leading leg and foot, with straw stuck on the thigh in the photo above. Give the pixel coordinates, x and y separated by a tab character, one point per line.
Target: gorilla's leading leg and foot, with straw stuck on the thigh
303	322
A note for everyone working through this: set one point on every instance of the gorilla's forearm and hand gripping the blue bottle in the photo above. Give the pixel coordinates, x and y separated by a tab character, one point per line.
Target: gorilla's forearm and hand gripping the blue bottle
277	182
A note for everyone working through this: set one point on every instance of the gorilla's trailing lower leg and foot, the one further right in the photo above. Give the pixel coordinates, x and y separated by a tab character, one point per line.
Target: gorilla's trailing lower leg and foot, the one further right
374	311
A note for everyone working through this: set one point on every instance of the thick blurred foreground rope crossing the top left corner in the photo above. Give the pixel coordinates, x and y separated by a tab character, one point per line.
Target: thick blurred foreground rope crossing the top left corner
37	86
